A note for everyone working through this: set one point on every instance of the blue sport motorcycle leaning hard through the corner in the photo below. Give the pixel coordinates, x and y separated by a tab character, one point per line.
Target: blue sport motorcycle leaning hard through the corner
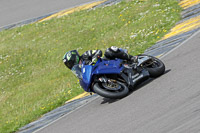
115	78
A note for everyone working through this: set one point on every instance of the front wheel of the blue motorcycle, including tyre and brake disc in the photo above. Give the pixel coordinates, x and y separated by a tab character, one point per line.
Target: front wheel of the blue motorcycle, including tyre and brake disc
114	90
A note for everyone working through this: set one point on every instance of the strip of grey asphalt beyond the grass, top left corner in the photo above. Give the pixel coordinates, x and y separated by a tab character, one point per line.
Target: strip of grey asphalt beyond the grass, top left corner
14	11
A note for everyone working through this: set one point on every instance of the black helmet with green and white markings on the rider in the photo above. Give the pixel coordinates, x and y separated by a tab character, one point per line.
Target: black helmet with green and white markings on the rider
71	58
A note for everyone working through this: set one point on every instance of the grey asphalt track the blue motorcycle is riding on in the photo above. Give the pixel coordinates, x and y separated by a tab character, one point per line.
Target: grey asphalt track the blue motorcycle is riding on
168	104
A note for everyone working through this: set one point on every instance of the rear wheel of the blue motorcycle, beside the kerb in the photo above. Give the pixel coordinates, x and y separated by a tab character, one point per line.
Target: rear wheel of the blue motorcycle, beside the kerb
155	67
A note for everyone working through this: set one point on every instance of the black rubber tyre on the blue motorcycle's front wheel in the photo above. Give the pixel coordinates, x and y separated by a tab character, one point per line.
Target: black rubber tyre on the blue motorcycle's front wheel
113	94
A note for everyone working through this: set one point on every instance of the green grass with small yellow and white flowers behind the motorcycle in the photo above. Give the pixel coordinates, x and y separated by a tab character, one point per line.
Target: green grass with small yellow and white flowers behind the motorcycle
33	78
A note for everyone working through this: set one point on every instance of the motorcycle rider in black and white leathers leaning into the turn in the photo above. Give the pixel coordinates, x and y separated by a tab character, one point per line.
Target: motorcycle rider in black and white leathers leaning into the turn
73	60
